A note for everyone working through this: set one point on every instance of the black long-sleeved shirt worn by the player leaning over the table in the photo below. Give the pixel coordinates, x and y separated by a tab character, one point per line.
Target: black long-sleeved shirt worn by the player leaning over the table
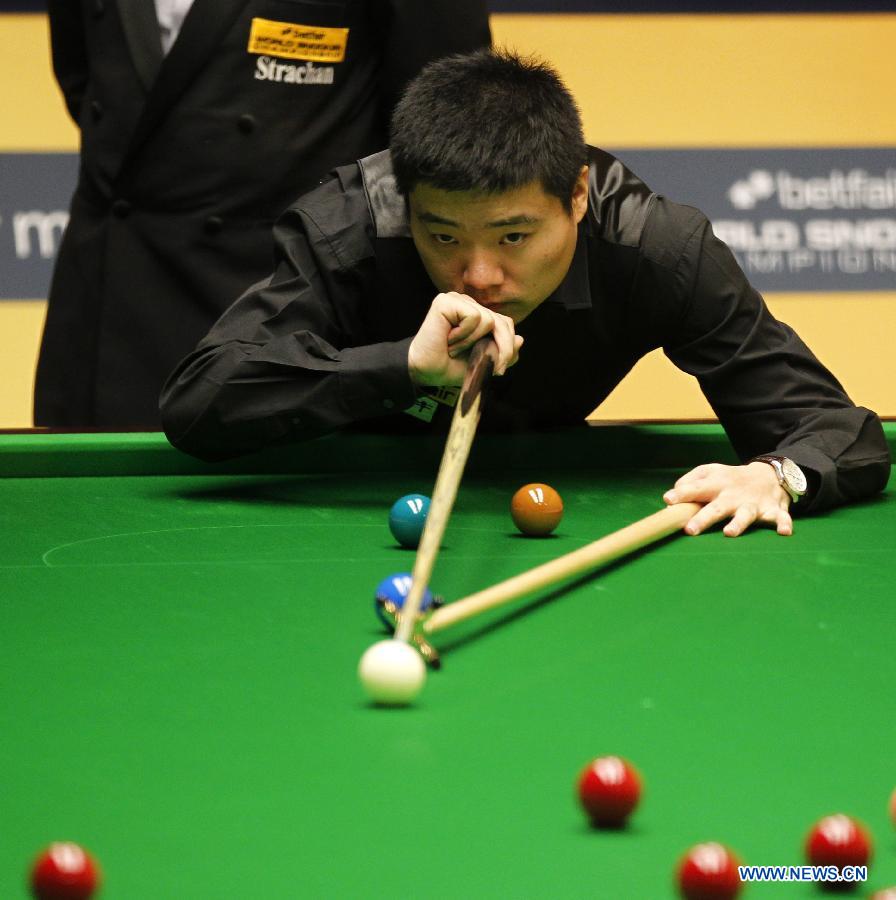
323	343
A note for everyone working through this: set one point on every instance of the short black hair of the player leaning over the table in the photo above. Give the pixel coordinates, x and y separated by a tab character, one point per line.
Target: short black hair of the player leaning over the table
488	121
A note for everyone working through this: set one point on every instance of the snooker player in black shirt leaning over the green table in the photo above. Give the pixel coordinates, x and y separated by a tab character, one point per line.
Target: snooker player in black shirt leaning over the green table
490	215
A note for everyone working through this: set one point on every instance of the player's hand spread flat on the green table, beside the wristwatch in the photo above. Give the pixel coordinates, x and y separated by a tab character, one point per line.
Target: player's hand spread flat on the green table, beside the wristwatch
747	494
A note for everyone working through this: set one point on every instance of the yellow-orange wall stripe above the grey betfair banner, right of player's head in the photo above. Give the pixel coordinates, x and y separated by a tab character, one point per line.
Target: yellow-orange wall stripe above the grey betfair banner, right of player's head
721	81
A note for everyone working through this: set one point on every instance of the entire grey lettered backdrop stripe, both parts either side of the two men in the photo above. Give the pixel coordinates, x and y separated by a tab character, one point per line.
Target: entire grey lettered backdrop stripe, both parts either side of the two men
798	221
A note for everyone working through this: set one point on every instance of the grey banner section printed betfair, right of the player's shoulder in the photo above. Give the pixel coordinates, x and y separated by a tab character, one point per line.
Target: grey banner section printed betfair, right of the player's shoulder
798	220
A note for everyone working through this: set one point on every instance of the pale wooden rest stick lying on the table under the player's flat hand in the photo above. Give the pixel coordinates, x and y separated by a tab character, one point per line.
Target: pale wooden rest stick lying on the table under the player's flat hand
600	552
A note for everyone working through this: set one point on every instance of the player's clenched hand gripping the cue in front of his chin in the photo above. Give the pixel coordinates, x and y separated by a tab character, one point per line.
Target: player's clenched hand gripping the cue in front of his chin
438	353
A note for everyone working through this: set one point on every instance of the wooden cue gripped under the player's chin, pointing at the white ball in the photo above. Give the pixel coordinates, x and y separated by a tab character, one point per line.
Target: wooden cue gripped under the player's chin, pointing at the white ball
480	366
